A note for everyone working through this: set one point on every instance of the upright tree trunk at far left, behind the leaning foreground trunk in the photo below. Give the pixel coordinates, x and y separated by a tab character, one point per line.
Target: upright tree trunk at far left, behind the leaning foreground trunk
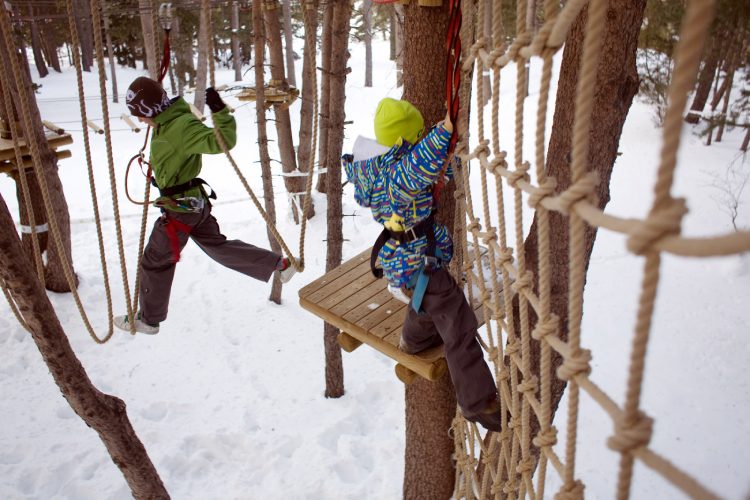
54	275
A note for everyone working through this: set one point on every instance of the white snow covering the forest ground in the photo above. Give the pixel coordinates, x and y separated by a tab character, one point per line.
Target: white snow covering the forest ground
228	397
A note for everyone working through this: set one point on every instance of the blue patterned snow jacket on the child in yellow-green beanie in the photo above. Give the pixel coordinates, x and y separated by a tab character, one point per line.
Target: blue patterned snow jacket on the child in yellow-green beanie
400	181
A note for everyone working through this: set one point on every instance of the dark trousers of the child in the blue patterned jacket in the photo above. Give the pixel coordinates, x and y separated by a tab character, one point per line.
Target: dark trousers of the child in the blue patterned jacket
446	315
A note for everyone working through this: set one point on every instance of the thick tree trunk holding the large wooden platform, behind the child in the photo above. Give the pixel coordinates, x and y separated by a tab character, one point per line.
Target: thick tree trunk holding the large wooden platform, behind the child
430	406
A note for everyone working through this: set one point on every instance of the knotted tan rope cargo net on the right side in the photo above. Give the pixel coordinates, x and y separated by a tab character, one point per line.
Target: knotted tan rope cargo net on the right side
513	463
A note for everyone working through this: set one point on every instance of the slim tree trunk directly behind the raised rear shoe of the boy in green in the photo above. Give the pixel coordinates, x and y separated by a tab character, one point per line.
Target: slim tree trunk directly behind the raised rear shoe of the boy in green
265	158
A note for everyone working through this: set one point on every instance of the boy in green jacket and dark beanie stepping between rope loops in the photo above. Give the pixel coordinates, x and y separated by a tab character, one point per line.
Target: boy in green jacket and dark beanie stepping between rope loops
179	139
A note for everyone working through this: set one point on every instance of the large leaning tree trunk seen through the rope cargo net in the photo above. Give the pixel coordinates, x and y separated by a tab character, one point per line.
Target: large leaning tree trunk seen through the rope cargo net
616	84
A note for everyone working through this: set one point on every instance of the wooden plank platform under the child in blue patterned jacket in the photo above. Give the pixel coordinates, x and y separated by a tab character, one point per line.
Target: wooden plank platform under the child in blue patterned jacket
352	299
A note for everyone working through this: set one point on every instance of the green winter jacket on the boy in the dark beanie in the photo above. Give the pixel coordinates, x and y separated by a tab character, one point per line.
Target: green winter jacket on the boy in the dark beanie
180	139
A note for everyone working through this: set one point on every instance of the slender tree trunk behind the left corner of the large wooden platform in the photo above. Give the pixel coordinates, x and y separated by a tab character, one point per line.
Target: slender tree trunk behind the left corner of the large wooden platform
339	56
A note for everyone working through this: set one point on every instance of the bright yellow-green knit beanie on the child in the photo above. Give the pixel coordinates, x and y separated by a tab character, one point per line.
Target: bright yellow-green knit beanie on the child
395	119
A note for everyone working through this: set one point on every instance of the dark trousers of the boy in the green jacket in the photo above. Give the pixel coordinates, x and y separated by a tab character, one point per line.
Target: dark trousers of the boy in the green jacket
158	266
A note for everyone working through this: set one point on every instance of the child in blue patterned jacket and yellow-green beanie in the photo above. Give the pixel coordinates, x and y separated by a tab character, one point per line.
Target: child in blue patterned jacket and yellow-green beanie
396	184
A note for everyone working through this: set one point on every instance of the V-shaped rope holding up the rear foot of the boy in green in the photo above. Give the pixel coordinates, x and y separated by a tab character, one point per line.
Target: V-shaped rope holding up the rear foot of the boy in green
297	263
